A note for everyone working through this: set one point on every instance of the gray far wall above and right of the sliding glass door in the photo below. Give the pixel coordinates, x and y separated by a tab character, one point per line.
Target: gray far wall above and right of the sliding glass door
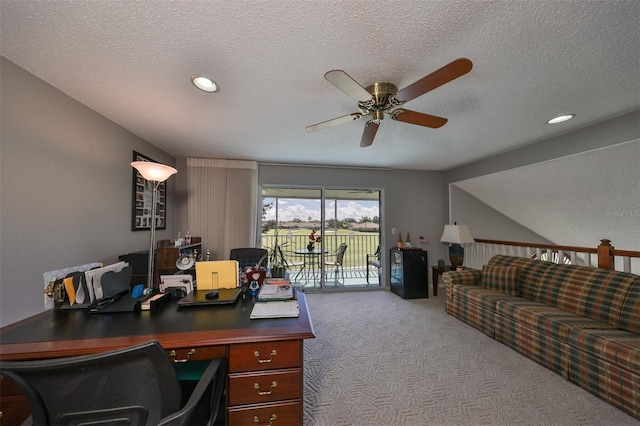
414	201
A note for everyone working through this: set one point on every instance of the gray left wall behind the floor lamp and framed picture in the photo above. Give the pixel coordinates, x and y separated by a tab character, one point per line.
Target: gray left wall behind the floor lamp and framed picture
66	186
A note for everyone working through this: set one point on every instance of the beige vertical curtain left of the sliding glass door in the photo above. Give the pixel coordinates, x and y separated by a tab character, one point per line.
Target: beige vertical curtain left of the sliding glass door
222	203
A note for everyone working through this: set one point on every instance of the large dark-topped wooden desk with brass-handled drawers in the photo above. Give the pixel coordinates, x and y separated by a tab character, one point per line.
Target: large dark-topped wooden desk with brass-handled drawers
260	352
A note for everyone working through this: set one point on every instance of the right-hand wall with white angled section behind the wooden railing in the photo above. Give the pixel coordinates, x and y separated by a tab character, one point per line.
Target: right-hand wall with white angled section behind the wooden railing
573	189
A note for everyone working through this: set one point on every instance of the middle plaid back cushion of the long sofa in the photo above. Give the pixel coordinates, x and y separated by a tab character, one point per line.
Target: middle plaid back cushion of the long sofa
595	293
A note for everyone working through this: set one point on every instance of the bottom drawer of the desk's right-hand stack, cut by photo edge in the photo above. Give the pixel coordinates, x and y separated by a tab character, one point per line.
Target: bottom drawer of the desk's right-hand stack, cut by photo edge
278	414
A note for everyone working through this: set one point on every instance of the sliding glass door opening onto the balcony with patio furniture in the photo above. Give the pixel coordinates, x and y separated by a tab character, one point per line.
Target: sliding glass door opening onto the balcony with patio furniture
330	237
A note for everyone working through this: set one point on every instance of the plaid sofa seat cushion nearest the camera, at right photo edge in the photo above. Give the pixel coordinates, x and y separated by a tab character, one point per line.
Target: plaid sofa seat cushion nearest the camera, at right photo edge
617	347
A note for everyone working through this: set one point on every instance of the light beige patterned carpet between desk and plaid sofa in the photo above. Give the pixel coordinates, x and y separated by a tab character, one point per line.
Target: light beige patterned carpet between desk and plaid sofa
381	360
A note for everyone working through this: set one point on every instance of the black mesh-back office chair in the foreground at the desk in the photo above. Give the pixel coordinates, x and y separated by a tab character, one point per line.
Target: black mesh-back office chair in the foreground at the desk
132	386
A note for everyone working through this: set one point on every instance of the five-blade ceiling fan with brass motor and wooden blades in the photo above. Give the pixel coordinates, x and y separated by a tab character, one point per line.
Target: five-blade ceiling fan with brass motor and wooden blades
384	98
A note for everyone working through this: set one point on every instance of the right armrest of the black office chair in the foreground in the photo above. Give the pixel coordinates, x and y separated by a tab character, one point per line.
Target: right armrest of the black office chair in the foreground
214	376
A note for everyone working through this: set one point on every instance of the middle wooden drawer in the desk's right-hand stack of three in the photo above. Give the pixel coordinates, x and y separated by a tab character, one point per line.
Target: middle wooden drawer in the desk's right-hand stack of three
250	388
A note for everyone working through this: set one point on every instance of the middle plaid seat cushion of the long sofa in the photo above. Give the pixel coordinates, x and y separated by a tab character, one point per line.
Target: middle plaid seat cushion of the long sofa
548	320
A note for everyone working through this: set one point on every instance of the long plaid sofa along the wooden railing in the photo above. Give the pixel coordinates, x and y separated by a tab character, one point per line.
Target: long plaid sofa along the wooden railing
582	323
